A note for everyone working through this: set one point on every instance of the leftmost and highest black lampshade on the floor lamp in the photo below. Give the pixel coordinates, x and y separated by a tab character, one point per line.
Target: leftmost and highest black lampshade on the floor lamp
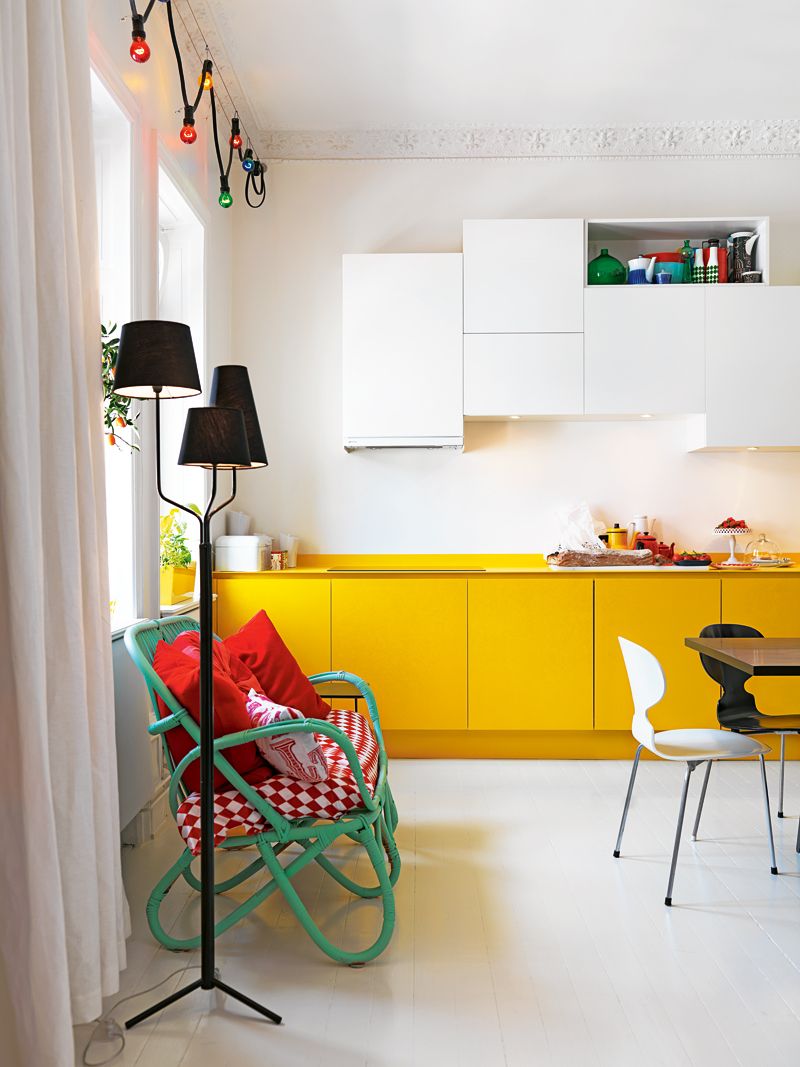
156	359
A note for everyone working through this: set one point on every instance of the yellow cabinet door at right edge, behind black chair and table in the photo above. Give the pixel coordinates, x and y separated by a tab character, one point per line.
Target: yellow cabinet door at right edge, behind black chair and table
772	606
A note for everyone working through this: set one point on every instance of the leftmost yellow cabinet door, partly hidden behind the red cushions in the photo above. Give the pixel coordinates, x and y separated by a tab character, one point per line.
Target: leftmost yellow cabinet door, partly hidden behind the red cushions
300	609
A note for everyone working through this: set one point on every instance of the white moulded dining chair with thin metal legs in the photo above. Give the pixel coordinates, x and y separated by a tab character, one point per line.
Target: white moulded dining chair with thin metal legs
692	747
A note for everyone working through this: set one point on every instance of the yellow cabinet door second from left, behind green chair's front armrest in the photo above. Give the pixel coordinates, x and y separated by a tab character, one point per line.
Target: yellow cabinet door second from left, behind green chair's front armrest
408	639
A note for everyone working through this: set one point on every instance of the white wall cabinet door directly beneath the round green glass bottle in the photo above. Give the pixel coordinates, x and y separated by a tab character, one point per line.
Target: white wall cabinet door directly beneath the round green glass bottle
645	351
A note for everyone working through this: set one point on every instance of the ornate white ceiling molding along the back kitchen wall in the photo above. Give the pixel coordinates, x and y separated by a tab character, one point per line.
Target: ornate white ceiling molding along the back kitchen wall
758	139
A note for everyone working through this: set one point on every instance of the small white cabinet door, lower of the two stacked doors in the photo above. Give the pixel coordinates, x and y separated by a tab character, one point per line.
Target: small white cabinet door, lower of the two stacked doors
523	375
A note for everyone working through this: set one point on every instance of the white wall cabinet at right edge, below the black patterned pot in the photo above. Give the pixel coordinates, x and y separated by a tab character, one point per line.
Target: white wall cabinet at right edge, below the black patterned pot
754	357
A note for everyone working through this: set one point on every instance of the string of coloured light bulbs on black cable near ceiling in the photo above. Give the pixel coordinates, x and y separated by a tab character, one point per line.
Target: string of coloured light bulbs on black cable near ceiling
255	184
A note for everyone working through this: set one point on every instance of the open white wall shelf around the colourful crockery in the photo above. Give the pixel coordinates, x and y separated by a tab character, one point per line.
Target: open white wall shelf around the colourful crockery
627	238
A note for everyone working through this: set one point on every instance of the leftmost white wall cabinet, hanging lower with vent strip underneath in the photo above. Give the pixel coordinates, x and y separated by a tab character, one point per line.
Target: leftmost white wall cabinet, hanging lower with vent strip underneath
403	349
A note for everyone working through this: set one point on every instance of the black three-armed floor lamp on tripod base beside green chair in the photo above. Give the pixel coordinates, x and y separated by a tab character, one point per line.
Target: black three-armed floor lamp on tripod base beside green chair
156	362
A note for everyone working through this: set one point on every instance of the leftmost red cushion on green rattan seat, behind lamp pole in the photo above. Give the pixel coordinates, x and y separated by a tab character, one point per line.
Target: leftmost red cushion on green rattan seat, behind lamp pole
181	675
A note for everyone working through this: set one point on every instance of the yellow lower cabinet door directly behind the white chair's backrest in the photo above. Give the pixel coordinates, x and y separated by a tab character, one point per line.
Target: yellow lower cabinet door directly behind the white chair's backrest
659	615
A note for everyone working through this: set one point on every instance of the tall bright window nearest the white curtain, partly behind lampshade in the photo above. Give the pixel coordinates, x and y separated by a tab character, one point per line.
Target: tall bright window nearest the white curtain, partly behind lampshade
113	140
